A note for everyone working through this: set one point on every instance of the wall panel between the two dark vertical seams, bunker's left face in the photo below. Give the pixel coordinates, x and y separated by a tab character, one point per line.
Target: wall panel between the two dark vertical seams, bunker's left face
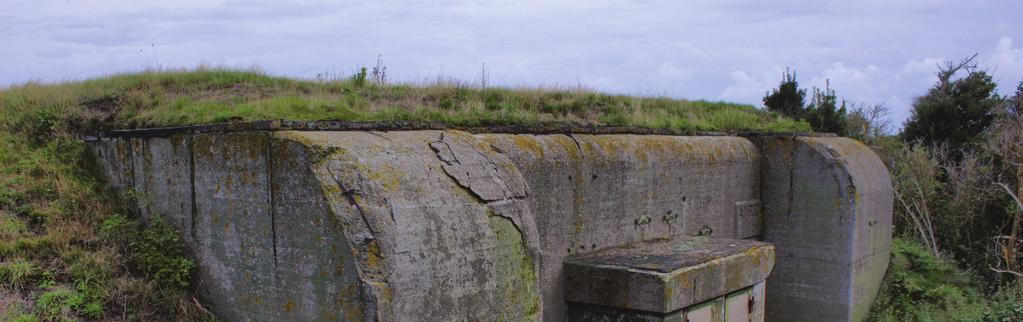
234	227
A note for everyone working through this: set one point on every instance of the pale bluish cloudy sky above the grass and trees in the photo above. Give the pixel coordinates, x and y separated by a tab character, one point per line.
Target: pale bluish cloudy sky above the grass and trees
874	52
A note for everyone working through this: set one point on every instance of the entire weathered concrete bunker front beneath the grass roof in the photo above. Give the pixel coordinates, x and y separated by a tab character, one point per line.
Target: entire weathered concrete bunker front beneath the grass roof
396	226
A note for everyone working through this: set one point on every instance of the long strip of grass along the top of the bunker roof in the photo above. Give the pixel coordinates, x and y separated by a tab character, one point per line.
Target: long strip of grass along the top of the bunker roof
207	96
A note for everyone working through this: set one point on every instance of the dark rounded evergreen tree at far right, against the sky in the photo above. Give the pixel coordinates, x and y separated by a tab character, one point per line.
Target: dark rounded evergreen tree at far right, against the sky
954	112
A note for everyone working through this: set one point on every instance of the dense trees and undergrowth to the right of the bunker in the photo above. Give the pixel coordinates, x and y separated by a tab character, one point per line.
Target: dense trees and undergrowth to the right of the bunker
958	176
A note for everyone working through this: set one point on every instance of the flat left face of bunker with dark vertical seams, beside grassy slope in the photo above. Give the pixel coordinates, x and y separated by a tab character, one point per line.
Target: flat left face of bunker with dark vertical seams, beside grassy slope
224	194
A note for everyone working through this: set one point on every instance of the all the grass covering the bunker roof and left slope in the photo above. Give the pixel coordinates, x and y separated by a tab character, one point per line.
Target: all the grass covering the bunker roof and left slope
69	251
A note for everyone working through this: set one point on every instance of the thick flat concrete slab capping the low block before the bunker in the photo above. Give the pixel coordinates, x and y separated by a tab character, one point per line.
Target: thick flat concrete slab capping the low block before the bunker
668	275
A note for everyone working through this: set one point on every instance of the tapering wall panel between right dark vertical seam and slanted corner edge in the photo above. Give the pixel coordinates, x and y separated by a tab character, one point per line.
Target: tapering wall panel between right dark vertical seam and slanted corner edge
317	275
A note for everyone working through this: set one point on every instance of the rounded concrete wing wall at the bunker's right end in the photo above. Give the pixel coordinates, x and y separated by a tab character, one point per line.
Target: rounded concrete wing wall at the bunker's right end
828	205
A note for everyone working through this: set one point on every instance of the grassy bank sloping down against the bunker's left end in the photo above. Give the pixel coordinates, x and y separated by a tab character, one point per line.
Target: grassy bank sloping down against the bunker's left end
59	260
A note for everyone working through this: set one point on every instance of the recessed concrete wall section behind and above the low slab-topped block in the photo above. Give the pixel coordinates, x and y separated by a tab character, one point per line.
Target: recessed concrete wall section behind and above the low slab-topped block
604	192
